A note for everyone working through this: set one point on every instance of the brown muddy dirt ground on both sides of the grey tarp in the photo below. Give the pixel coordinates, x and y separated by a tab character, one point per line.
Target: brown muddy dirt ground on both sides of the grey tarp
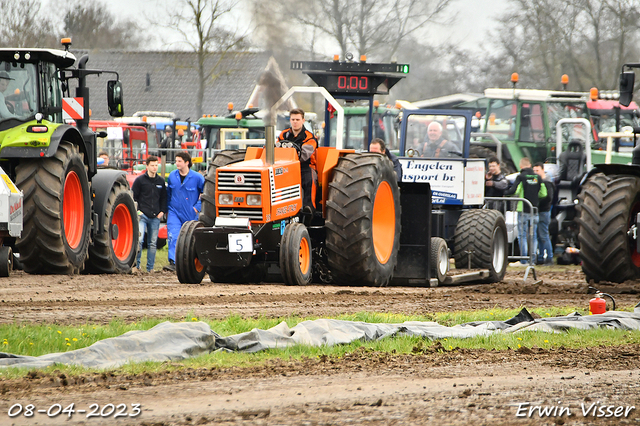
429	386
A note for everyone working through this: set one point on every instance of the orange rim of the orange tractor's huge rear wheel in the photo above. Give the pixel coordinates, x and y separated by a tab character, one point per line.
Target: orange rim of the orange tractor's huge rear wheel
383	223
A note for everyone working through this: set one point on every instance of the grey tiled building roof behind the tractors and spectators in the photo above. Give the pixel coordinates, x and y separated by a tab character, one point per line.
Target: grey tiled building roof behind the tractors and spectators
167	81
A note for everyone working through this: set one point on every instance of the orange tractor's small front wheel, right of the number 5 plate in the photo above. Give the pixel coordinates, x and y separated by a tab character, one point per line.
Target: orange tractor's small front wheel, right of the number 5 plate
295	255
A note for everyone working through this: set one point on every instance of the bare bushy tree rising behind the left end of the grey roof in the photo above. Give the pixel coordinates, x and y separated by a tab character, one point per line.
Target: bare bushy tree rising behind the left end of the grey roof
91	26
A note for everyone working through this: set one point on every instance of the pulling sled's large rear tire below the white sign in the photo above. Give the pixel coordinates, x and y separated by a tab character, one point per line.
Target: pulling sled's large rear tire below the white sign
482	232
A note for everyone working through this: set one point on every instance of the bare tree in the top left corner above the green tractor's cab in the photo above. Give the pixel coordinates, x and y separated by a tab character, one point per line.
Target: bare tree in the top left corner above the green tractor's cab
22	24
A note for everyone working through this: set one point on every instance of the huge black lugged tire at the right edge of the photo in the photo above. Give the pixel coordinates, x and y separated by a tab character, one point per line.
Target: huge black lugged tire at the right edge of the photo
607	209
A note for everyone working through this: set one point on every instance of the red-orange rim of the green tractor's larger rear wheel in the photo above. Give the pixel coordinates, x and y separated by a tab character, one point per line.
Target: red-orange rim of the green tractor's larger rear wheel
73	210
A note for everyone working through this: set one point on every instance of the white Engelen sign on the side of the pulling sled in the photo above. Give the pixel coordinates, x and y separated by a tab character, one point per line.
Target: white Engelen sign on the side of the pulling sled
451	182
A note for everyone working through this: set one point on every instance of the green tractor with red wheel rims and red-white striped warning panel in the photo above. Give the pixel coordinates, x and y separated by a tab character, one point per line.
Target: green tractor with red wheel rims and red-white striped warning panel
76	217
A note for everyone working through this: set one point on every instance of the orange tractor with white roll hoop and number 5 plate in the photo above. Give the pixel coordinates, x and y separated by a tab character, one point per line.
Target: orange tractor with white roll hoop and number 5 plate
252	219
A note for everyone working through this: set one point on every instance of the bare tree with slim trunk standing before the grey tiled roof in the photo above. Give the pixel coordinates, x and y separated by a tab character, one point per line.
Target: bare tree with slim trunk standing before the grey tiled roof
199	24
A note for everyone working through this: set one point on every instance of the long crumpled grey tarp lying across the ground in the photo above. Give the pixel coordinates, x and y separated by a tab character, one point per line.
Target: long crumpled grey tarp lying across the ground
176	341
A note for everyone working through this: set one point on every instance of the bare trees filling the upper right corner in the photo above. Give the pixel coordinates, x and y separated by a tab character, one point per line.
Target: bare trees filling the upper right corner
586	39
